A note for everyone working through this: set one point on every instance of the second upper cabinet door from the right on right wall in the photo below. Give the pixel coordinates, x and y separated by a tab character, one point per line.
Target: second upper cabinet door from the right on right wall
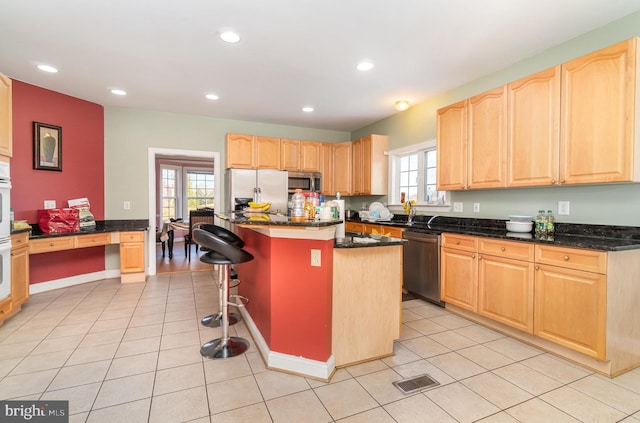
534	129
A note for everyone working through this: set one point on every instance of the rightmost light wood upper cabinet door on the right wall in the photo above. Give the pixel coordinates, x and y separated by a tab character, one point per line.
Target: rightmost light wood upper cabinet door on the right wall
598	116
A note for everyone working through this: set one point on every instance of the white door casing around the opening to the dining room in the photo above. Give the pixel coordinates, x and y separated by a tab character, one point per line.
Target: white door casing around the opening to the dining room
153	154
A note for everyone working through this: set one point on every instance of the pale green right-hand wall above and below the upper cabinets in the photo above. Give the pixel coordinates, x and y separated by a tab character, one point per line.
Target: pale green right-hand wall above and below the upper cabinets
615	204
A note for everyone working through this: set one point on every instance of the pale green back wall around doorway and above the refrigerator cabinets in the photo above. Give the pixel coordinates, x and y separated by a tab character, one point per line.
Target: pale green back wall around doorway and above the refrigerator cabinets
130	132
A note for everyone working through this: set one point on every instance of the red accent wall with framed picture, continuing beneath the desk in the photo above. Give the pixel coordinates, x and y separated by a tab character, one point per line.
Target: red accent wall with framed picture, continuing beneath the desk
82	173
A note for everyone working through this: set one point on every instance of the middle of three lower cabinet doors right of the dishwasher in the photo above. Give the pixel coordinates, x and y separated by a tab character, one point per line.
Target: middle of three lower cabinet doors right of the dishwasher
505	291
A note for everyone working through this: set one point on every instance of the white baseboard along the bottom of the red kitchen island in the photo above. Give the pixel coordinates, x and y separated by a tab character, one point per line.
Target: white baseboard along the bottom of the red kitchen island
278	361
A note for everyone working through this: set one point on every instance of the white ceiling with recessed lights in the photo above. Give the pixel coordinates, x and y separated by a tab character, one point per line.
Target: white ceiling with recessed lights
293	53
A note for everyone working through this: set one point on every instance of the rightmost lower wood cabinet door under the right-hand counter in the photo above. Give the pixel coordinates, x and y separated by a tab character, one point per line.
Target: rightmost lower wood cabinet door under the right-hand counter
570	309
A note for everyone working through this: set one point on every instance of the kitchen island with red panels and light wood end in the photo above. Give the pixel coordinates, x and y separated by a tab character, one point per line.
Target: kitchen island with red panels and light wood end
309	316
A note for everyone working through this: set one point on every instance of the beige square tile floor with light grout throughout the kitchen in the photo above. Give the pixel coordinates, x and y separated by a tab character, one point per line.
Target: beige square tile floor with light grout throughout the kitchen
130	353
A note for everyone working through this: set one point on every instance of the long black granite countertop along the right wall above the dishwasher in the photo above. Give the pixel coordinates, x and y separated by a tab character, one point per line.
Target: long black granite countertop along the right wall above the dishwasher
593	237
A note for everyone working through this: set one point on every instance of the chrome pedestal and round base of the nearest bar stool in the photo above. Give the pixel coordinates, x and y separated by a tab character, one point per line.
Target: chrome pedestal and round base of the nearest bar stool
225	346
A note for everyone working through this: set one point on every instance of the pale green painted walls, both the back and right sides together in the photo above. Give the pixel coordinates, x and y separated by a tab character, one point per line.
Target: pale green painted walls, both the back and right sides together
130	132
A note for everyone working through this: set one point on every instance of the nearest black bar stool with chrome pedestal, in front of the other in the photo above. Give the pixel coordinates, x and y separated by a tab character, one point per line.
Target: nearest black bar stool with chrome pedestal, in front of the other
223	254
